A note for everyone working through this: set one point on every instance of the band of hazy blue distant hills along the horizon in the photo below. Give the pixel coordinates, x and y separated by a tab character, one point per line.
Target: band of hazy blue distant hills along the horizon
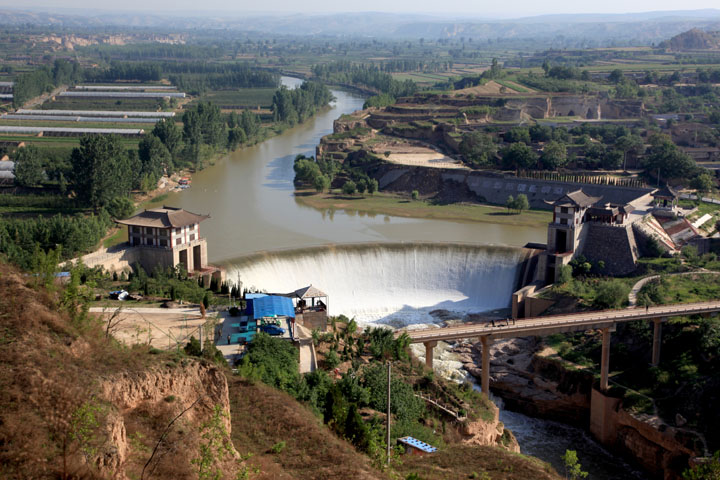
595	30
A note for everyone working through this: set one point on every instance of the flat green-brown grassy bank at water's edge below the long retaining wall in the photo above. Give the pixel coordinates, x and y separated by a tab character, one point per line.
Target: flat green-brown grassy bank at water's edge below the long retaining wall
382	203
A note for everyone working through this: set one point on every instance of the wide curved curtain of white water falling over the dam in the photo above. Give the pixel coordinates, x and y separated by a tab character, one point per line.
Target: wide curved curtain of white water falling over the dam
395	284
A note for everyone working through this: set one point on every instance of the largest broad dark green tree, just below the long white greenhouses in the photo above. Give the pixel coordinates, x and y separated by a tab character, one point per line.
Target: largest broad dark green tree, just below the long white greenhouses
100	170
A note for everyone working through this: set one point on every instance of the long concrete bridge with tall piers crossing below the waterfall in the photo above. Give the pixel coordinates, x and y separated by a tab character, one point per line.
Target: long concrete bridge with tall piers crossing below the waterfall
604	320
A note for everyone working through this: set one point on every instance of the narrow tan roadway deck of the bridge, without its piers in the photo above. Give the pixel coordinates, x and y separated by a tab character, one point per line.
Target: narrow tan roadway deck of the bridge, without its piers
559	323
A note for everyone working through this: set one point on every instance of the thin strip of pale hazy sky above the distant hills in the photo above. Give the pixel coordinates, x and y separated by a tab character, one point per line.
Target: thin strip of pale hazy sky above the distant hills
494	8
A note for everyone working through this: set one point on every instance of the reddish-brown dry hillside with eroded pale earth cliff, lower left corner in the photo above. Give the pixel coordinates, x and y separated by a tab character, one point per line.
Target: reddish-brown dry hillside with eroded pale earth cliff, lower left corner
76	404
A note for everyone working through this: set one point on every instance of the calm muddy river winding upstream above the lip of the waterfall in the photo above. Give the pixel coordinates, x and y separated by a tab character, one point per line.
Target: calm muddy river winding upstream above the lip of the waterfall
250	197
